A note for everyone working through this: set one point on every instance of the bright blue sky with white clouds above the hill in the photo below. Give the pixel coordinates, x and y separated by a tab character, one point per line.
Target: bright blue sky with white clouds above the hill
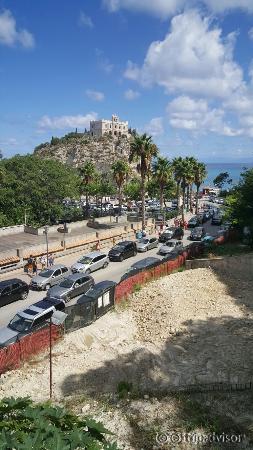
180	70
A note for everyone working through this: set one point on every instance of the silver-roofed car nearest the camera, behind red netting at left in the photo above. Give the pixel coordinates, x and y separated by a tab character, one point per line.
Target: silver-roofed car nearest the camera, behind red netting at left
31	319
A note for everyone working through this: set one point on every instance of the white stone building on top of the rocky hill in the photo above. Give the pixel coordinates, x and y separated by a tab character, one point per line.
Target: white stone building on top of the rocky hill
113	127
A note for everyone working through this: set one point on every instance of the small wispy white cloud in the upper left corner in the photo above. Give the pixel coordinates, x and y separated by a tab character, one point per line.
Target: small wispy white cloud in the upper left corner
9	35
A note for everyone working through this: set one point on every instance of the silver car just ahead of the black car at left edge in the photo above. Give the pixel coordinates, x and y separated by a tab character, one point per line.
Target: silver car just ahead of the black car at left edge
49	277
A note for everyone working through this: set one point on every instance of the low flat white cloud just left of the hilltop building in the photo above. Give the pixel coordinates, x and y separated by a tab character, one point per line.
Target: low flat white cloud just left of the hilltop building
63	122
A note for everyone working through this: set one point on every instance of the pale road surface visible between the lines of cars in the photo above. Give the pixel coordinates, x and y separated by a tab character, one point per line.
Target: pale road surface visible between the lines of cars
113	272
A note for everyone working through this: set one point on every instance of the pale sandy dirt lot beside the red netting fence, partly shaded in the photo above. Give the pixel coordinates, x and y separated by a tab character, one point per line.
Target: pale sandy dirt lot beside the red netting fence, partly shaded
190	328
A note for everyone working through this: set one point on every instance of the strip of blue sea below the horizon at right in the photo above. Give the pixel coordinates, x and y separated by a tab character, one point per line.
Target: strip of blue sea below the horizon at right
234	170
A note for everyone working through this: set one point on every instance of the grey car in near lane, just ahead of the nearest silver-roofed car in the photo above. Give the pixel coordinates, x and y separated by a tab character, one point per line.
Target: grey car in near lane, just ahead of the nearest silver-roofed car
72	286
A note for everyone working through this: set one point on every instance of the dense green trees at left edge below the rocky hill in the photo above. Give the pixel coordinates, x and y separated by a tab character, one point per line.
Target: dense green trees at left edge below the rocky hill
37	186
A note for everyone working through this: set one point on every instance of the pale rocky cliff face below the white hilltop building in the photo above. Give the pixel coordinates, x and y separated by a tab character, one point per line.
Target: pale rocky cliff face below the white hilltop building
75	149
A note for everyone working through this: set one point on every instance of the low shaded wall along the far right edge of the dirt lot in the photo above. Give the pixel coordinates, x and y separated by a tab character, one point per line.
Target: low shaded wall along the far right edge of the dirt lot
241	265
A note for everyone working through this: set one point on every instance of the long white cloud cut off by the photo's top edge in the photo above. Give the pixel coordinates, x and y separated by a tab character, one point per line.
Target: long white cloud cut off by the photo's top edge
166	8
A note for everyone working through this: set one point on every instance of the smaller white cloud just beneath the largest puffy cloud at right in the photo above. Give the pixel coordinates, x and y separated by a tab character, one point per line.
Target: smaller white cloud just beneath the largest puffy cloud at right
195	115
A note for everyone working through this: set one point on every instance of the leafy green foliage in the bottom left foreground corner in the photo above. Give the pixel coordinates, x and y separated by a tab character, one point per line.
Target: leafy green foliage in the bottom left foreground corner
27	425
